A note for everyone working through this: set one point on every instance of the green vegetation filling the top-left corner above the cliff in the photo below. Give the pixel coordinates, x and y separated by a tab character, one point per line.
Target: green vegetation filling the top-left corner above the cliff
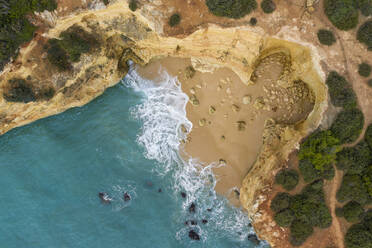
15	27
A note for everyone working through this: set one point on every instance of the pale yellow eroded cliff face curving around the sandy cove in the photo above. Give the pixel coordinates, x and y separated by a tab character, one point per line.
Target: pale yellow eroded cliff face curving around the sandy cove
32	88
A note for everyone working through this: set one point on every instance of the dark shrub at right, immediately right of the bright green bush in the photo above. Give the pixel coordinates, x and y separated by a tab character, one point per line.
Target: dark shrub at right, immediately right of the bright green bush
354	159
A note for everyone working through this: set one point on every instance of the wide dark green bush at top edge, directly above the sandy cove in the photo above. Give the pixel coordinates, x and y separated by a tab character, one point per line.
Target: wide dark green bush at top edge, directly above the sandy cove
233	9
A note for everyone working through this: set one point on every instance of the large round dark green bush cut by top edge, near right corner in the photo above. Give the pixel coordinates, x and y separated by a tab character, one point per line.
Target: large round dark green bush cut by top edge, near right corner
342	13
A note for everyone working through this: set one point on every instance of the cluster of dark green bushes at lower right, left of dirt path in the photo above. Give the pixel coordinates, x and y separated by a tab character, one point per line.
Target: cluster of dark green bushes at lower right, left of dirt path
302	212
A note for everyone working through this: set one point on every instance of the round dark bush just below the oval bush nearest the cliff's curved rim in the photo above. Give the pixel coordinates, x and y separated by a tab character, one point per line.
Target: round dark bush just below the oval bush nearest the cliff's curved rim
348	125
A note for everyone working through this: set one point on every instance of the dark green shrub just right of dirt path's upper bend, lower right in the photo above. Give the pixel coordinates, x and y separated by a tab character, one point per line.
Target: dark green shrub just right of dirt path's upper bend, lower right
353	188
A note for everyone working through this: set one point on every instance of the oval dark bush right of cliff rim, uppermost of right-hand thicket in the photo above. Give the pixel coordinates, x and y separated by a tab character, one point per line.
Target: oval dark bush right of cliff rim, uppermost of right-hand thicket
340	91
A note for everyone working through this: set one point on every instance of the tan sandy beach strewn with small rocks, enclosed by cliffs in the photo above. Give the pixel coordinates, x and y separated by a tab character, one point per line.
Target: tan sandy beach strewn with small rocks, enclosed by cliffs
232	132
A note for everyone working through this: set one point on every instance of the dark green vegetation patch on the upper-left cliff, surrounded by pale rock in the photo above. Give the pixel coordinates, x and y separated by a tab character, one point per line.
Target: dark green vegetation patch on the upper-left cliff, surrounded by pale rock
71	44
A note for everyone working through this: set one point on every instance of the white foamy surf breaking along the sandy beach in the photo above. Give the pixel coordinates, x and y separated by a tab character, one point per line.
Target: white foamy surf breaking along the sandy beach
163	112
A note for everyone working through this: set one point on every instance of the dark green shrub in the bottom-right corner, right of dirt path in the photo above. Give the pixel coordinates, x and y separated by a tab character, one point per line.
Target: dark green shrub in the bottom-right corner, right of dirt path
358	236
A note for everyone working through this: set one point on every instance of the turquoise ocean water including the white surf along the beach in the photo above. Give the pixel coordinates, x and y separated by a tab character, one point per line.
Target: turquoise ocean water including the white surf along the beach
125	141
